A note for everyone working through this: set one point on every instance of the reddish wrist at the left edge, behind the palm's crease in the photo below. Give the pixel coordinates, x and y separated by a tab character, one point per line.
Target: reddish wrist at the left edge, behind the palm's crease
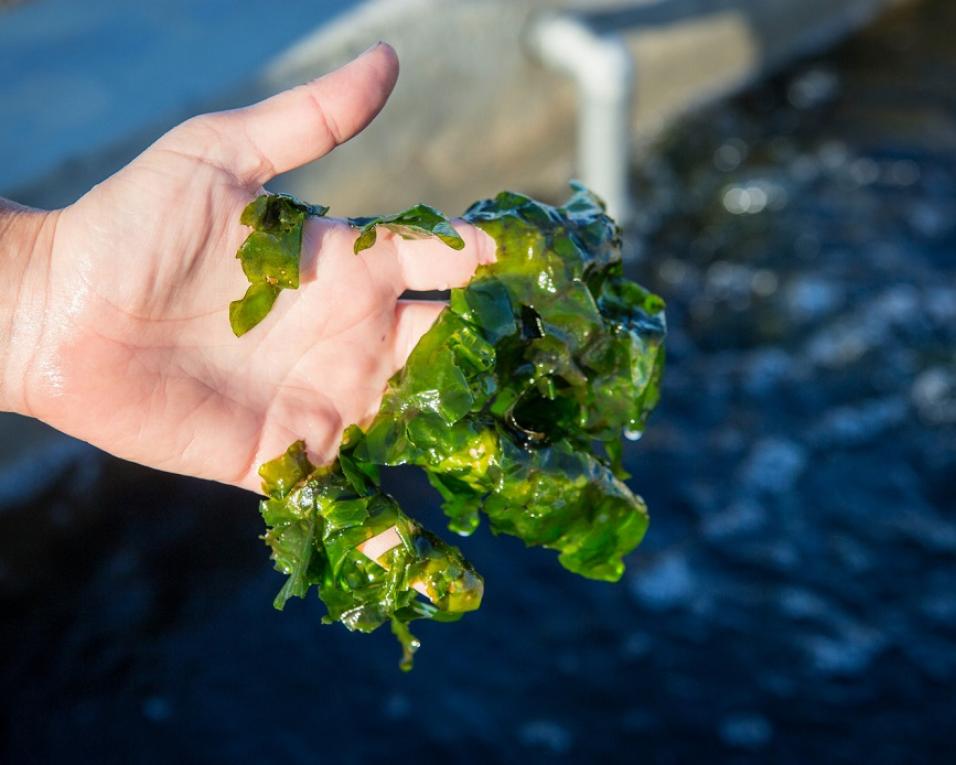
26	243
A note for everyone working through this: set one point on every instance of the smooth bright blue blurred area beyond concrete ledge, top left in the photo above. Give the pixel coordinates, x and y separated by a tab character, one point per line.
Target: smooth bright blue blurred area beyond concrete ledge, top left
79	71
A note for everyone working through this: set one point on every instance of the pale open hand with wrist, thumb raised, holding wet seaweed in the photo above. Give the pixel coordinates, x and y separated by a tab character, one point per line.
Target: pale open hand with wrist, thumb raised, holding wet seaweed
114	310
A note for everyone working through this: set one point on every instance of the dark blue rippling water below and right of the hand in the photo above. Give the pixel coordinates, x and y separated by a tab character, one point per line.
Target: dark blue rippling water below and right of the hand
795	599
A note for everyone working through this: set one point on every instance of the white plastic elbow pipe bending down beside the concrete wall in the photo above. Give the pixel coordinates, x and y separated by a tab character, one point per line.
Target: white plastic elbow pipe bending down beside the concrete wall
603	71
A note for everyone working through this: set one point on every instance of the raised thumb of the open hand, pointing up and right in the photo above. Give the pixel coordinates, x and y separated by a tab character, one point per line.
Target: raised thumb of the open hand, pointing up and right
283	132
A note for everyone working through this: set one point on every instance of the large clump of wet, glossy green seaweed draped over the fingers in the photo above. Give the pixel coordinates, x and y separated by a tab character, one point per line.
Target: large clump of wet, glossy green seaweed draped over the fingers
514	404
